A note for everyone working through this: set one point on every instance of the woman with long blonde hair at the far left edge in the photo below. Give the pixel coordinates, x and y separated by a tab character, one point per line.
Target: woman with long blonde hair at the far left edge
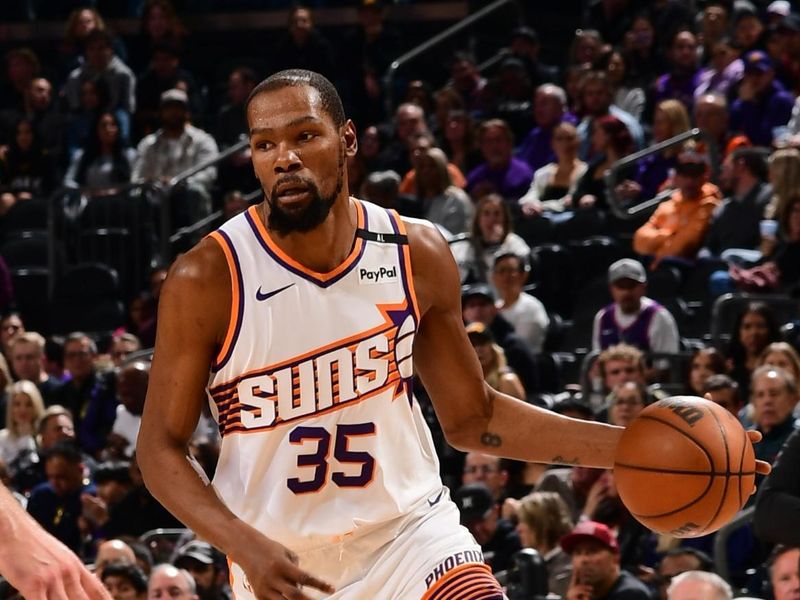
23	411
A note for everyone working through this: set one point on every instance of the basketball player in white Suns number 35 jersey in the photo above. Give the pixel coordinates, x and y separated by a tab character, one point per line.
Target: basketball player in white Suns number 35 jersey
297	320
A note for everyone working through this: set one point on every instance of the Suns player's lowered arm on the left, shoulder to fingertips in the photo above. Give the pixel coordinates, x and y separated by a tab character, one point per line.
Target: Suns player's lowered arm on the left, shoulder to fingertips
193	315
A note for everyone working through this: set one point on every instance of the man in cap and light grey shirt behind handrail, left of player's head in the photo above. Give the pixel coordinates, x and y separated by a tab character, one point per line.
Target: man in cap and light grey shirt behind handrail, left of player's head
175	147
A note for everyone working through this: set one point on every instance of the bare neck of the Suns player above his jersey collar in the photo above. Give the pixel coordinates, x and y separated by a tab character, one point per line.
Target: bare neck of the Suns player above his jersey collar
326	246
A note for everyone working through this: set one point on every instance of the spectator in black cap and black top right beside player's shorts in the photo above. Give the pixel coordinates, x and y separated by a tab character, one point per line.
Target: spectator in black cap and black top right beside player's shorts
480	513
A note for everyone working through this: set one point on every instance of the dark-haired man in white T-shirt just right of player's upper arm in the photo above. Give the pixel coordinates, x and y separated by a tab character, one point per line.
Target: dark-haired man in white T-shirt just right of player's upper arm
525	312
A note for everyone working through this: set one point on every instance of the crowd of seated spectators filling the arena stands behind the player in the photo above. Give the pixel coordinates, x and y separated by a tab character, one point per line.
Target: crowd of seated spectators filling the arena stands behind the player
510	164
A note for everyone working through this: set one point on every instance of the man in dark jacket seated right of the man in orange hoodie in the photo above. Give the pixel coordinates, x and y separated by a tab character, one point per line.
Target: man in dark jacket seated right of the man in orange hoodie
733	233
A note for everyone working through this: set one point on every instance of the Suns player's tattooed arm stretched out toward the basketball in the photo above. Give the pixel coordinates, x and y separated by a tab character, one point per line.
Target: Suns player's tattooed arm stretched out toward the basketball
474	417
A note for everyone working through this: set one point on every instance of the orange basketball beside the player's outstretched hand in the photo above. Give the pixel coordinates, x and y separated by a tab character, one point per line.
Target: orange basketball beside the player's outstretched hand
684	466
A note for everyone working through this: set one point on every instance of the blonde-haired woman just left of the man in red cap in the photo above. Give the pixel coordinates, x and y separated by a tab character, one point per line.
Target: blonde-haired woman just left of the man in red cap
542	519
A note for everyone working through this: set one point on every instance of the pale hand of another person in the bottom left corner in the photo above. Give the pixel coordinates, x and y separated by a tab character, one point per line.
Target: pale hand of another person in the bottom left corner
42	568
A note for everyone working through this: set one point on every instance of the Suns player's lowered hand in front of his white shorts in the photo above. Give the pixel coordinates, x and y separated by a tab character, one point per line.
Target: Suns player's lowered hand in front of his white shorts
273	573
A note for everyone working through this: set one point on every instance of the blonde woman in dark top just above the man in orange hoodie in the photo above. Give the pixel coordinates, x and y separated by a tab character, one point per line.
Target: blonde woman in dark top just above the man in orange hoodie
669	119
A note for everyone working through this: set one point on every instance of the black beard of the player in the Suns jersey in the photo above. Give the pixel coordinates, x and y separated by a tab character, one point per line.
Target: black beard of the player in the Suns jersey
306	218
